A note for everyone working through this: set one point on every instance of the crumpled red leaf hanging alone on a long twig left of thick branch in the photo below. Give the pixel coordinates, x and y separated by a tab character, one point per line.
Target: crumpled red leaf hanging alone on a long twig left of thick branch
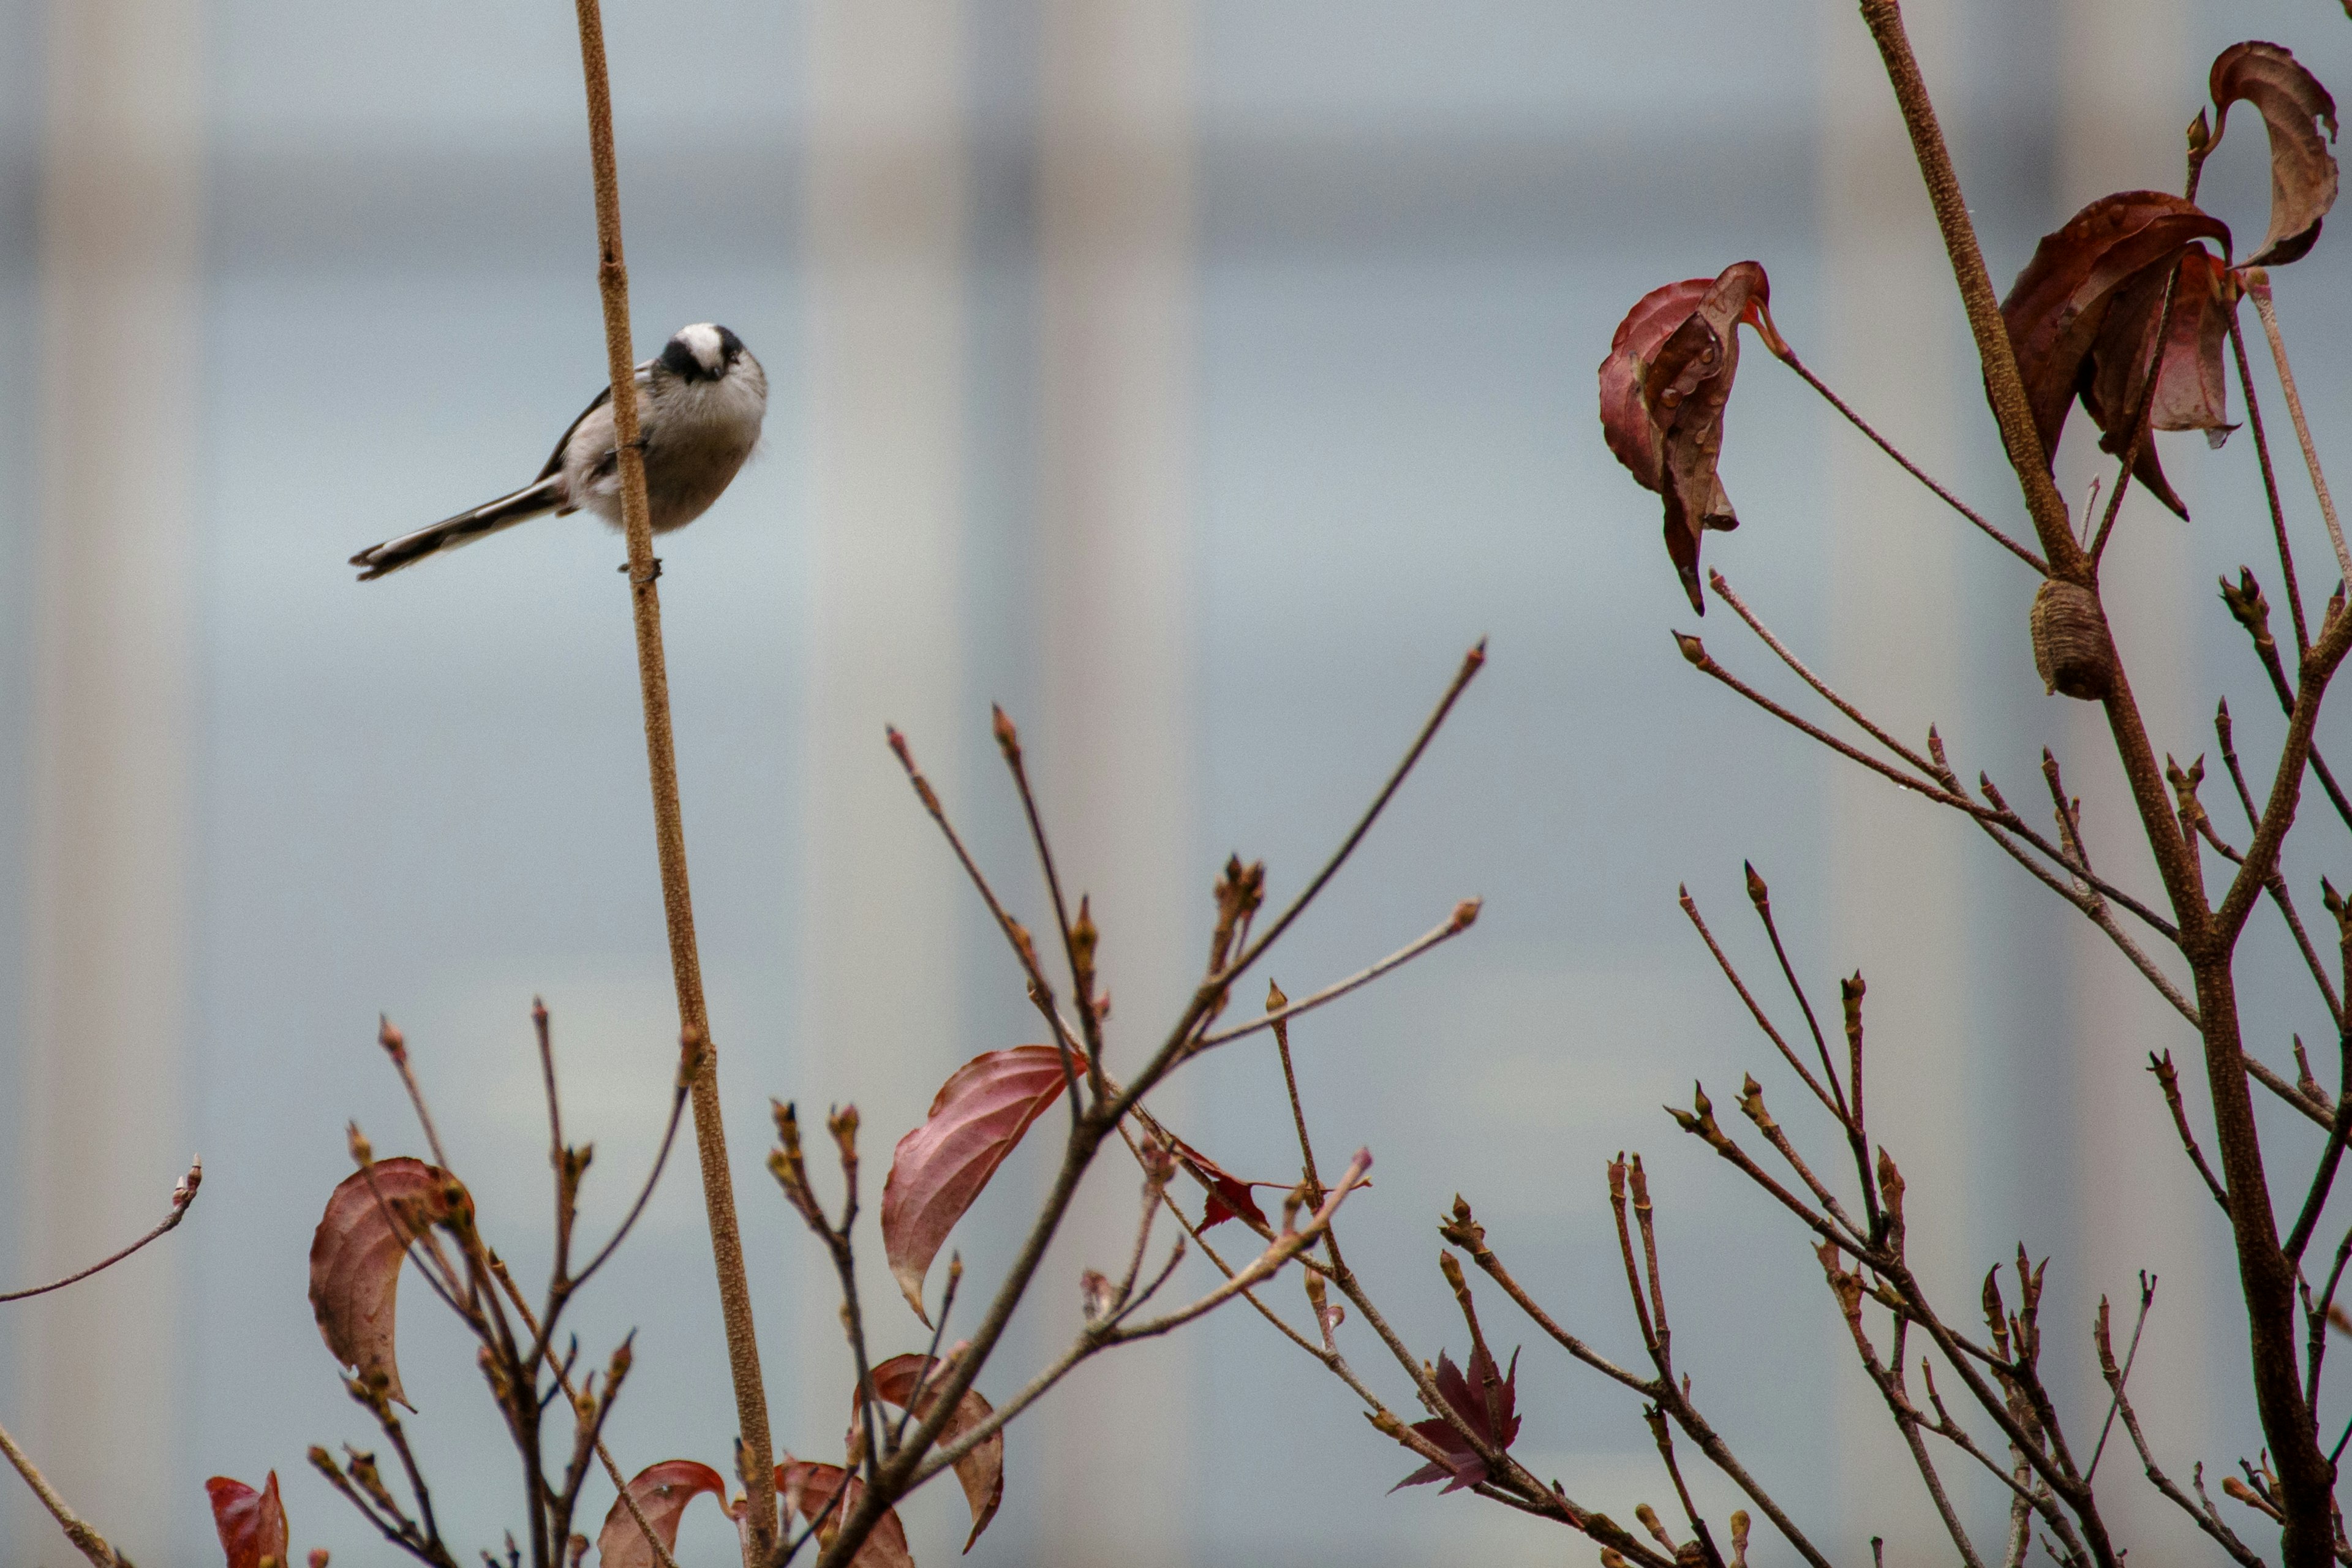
1664	391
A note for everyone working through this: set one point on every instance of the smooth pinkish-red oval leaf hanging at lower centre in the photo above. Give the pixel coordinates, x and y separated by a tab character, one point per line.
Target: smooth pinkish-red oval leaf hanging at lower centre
937	1170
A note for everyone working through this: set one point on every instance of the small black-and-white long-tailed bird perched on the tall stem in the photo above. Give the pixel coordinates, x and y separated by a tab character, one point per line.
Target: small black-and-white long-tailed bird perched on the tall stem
700	408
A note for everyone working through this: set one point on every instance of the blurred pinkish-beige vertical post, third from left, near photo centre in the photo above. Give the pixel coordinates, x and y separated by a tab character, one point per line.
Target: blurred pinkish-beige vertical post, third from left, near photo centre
1116	448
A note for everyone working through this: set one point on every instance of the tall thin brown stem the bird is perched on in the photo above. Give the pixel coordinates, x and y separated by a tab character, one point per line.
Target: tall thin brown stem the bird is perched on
669	829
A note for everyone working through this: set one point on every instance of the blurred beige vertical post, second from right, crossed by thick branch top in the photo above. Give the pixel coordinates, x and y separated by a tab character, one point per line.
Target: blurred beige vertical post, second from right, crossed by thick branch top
1899	871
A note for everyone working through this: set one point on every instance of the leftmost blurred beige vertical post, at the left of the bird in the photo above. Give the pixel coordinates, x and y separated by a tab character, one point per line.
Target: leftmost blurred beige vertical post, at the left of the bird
102	1108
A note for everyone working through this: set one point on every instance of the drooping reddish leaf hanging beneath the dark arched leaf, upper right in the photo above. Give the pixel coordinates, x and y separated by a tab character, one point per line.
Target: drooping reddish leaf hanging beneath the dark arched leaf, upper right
2193	389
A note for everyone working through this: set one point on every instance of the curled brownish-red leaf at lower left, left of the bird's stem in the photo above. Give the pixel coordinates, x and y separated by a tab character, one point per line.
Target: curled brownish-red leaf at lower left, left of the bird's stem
356	1259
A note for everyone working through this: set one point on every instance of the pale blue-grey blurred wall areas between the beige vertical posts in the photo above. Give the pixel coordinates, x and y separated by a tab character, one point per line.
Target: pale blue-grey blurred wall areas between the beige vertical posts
1417	232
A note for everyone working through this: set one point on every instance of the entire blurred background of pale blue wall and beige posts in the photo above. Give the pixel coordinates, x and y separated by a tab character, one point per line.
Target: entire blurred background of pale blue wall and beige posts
1198	380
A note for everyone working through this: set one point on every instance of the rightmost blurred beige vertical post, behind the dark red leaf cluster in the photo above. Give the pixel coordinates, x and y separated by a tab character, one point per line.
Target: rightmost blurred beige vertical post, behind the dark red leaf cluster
2127	76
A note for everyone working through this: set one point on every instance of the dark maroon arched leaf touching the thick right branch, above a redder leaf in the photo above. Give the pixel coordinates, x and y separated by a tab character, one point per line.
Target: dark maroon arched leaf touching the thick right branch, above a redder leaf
2064	297
